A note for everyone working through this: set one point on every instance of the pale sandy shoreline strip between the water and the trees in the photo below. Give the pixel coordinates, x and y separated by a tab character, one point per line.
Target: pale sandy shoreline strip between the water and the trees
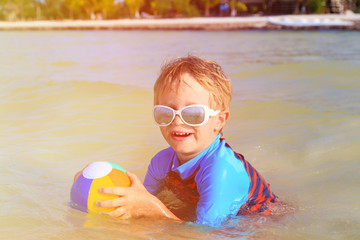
278	22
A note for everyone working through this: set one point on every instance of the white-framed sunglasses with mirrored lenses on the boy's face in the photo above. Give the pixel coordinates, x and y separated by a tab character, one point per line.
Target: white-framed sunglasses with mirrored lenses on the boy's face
193	115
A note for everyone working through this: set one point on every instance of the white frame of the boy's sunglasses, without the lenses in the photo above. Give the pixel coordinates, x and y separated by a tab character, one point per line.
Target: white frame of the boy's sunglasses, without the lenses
208	113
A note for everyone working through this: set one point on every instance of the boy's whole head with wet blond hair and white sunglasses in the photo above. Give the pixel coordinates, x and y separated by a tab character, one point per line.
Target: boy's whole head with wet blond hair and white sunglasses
192	98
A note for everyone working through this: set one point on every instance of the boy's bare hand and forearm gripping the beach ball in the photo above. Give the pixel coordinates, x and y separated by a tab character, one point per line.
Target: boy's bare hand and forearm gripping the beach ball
134	202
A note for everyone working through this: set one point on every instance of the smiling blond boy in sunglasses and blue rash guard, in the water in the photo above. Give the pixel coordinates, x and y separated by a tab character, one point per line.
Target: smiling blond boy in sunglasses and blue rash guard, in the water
209	180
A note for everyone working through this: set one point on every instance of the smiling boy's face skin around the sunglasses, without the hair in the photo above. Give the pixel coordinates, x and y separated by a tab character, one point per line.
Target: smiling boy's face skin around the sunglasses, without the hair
188	141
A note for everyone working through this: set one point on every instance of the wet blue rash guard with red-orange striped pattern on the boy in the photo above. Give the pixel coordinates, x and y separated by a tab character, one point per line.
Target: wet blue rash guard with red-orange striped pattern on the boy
214	185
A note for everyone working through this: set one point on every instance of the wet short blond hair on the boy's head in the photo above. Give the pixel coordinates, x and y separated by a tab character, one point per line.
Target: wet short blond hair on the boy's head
208	73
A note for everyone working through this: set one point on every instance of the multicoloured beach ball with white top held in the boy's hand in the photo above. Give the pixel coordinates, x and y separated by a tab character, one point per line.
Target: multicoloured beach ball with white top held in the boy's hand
85	189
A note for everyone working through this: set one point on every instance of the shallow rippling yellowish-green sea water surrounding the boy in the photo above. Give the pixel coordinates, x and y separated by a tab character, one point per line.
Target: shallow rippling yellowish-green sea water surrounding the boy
68	98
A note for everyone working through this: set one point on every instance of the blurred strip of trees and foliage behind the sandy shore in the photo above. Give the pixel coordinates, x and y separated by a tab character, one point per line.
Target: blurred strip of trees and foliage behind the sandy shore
15	10
